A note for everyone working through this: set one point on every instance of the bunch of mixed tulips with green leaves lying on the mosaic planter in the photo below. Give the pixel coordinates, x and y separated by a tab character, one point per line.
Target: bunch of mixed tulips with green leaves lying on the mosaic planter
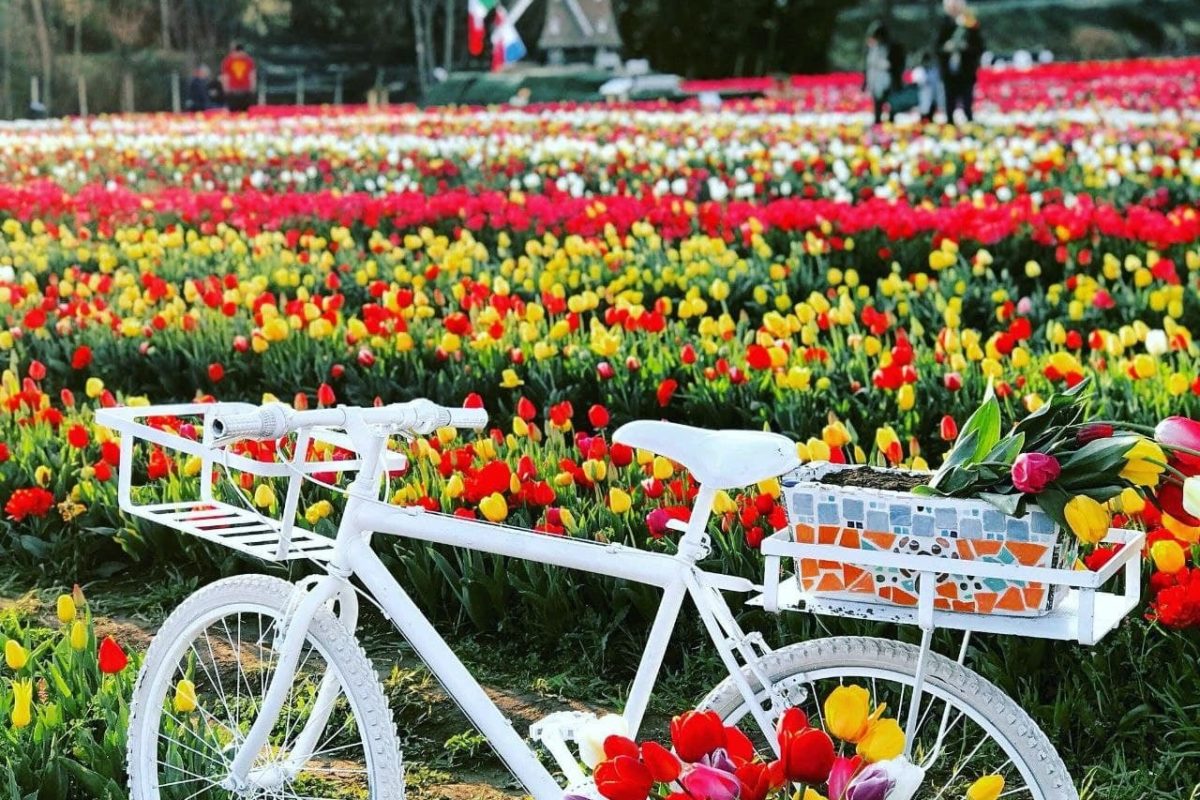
1078	471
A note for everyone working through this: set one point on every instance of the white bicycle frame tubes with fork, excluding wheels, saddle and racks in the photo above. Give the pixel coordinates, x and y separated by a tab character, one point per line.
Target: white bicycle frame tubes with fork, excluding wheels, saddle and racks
677	575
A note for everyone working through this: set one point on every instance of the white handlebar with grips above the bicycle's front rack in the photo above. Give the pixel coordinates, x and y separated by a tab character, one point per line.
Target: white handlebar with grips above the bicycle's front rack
275	422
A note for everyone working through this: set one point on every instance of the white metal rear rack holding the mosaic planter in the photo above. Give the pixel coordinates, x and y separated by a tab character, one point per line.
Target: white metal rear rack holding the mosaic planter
1087	615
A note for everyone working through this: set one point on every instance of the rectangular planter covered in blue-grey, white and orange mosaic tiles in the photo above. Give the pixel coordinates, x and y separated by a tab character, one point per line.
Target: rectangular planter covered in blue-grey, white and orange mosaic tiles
901	522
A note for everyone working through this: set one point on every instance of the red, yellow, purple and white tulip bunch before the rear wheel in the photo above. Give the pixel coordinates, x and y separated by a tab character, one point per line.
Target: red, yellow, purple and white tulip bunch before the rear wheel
857	756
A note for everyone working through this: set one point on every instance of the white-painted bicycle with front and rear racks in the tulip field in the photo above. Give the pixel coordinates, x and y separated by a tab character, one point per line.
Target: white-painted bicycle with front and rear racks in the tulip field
257	688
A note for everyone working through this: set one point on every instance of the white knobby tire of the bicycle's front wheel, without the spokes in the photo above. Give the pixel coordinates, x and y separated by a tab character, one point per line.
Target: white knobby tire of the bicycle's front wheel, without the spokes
269	596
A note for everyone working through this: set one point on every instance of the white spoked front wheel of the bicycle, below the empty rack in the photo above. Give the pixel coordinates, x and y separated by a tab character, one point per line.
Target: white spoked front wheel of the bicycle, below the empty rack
205	679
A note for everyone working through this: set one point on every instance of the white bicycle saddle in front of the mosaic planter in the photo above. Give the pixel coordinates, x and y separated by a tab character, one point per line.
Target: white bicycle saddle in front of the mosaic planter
721	460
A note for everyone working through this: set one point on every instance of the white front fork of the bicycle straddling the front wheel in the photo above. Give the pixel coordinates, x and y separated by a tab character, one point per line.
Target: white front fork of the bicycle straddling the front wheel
293	629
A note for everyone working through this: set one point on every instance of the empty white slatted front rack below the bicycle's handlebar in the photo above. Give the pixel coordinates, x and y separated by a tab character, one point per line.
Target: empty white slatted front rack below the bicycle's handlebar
213	520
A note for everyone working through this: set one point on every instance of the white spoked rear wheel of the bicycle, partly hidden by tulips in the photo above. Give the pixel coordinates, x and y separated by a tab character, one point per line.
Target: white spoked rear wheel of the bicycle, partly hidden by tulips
968	727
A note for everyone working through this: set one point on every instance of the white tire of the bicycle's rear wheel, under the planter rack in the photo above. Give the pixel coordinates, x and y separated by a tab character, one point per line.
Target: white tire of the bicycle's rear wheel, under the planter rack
968	690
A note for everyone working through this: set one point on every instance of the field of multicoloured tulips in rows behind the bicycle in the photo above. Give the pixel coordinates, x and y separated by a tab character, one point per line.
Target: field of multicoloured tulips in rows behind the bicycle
571	269
